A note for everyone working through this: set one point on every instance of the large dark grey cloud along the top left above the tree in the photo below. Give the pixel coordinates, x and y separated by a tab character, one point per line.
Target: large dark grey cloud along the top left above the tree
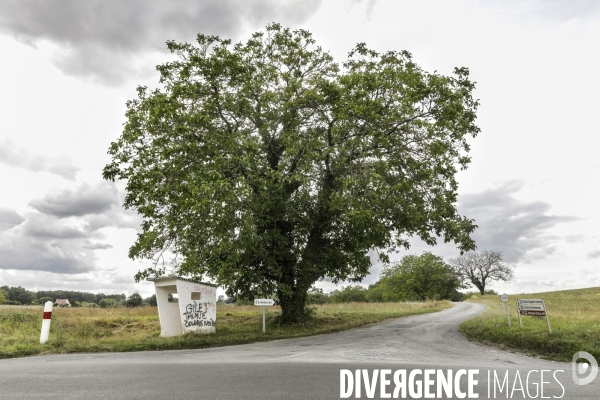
99	38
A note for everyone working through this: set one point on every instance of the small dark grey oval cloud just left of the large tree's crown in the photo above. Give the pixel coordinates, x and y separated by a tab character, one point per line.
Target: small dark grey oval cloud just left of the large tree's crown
82	201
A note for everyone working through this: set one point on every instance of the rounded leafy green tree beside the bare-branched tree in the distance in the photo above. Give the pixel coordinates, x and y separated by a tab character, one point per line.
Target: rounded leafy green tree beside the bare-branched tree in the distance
418	278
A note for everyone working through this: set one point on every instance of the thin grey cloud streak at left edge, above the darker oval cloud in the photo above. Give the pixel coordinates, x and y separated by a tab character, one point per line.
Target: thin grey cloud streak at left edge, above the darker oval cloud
14	157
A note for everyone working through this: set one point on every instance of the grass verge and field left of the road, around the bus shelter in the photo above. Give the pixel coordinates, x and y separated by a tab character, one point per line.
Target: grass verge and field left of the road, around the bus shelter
134	329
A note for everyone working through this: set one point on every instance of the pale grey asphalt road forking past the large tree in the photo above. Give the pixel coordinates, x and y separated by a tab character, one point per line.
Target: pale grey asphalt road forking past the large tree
306	368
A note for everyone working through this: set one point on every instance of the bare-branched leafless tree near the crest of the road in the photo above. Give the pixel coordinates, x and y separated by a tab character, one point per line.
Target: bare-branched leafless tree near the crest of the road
479	269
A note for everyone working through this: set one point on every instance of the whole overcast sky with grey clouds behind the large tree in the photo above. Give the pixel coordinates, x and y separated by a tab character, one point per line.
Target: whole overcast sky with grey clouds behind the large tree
68	67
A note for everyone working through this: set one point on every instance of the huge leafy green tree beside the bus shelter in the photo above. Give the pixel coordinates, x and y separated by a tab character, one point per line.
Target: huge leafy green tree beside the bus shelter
267	166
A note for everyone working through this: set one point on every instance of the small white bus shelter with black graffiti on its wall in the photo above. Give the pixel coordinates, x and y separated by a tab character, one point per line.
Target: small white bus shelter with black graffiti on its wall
195	311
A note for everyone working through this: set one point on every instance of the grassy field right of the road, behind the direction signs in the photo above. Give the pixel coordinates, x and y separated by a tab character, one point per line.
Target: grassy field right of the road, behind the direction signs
574	317
